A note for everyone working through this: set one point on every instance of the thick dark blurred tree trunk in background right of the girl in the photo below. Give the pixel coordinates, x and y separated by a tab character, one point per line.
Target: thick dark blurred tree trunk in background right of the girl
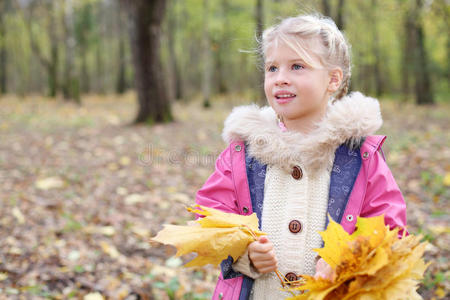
423	91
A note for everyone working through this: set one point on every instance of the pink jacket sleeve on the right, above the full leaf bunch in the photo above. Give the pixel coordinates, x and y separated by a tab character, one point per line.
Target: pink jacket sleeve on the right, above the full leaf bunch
383	195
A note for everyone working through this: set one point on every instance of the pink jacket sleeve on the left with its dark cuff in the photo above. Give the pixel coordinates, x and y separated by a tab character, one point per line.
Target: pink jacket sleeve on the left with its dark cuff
219	192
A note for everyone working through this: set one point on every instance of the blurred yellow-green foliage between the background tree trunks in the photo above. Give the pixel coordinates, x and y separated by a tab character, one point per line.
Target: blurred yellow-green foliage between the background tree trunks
232	26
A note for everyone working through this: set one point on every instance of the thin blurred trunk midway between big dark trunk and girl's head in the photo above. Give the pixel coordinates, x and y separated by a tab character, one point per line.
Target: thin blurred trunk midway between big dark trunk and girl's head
206	81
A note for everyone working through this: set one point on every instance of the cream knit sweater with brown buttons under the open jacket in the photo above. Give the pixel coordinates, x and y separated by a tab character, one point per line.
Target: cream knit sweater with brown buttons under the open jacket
287	199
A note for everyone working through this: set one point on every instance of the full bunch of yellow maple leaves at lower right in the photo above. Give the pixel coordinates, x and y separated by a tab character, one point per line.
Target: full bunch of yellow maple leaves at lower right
371	263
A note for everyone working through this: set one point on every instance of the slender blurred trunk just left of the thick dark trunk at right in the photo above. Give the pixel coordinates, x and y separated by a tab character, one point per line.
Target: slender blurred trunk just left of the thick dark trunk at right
379	84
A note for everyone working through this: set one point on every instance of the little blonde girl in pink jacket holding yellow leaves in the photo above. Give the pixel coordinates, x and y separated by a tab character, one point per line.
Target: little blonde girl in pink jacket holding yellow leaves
311	153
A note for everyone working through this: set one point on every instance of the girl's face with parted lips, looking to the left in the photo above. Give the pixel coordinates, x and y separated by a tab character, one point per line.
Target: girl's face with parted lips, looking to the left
296	91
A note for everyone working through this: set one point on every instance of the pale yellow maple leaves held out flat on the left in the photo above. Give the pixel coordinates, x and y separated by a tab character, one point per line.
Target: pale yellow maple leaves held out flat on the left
219	235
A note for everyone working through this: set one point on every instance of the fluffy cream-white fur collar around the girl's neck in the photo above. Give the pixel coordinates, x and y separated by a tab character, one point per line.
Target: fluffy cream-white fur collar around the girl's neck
348	120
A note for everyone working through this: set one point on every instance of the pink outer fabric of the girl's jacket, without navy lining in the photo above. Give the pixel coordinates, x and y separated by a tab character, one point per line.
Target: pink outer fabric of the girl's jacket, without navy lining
375	192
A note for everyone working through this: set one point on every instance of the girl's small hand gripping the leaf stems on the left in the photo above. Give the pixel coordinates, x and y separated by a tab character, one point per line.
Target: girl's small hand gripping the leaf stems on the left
262	255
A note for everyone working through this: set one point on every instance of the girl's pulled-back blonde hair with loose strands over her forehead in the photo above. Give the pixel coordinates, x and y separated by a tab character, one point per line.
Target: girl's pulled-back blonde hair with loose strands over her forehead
300	34
